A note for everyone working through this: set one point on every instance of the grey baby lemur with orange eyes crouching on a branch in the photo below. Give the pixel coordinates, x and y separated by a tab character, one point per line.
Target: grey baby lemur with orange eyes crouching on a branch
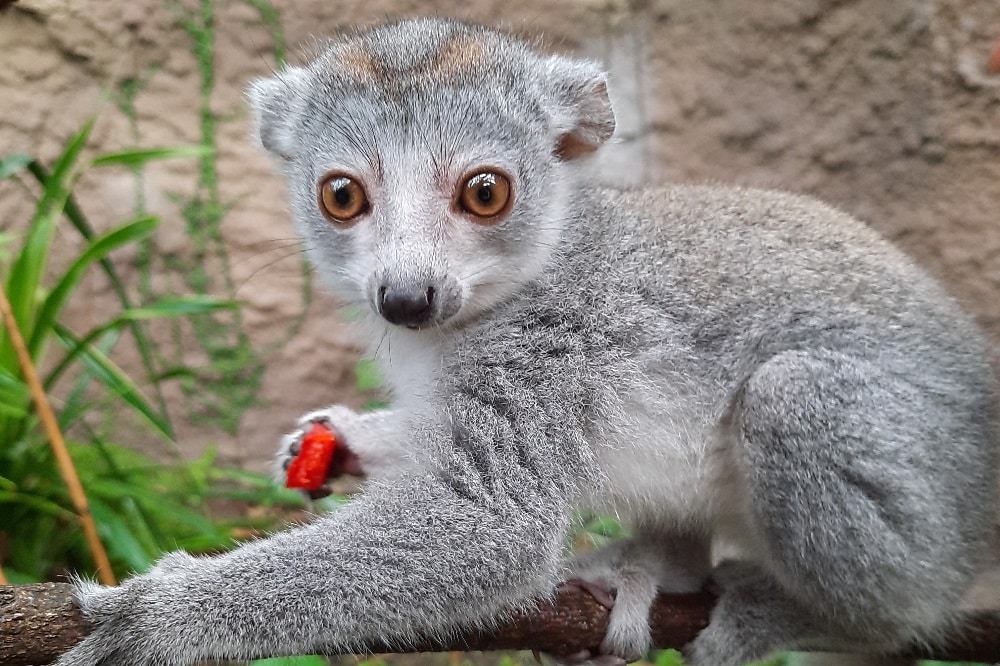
709	364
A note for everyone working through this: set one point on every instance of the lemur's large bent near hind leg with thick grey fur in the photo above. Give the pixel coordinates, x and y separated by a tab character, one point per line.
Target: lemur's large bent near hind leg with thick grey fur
839	460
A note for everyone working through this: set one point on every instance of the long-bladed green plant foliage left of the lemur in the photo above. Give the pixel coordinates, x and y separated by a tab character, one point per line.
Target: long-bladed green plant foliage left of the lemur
142	507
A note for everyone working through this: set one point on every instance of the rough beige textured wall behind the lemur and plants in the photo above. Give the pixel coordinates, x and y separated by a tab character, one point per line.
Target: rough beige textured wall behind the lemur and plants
881	107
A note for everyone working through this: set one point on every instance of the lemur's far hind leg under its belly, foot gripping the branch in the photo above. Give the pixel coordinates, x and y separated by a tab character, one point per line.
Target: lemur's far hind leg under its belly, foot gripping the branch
627	575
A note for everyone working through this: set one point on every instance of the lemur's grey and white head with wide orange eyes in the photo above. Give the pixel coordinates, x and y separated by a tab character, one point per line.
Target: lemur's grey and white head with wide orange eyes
428	162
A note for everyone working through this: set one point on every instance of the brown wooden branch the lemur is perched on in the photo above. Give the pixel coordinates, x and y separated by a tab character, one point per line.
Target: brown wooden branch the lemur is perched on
39	622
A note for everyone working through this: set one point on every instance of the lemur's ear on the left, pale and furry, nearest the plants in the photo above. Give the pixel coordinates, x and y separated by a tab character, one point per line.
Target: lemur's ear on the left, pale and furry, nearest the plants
275	102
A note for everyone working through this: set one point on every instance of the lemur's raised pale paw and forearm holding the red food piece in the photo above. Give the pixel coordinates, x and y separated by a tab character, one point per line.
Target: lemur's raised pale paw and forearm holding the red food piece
372	438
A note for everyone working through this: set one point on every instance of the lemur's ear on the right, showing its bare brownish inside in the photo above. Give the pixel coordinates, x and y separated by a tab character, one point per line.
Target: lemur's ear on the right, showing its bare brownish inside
582	117
